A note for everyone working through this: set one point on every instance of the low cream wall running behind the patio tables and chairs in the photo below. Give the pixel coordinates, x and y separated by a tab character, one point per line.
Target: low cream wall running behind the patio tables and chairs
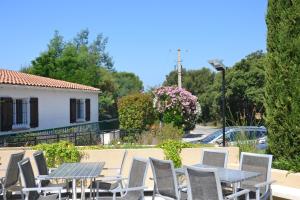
190	156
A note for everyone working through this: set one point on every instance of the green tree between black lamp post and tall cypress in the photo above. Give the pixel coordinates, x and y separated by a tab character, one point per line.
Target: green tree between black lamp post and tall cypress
245	90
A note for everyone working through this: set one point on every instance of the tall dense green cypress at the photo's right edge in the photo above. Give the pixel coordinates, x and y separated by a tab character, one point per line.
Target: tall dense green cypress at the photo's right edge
282	94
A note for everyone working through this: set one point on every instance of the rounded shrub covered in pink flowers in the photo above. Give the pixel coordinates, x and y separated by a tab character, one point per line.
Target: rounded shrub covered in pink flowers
177	105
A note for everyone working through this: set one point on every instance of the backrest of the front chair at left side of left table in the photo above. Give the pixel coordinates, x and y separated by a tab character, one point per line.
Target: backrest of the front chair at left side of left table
28	178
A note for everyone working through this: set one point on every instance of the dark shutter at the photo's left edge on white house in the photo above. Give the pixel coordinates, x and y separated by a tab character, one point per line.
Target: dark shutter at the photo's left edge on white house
6	110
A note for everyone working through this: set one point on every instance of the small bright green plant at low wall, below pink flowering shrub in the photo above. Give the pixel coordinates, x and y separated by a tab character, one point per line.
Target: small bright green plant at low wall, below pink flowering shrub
172	150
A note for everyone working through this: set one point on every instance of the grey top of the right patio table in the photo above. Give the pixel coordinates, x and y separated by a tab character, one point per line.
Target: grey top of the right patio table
228	175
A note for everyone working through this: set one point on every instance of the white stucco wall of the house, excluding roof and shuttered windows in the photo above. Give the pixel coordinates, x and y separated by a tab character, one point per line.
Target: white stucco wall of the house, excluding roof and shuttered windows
53	104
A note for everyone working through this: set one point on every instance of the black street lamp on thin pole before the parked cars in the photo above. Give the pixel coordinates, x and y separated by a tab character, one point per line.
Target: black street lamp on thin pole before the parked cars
219	66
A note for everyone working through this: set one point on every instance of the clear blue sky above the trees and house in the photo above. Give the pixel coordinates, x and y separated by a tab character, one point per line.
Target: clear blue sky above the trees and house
143	34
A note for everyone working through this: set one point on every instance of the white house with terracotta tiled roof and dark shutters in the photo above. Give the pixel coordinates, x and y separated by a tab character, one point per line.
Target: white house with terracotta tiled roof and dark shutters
29	102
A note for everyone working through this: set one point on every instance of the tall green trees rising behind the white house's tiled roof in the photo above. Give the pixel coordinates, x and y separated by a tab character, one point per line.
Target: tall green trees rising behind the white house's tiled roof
84	62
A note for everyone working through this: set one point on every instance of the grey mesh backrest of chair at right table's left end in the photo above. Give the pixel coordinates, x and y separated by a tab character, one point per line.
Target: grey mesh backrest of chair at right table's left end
164	178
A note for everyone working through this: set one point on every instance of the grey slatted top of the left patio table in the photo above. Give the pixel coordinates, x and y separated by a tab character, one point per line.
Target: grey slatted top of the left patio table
77	171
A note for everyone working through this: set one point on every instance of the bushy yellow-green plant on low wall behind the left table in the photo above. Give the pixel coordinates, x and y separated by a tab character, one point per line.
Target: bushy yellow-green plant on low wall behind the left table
58	153
